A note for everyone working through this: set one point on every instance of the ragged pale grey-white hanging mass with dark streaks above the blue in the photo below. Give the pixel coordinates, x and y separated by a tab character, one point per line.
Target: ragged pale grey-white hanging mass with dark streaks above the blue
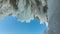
26	10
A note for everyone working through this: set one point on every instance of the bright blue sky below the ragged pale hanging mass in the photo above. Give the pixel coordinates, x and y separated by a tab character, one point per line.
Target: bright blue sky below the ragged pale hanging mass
10	25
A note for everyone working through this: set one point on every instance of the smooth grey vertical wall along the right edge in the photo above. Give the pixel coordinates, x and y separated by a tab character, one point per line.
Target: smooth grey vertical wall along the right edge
54	16
